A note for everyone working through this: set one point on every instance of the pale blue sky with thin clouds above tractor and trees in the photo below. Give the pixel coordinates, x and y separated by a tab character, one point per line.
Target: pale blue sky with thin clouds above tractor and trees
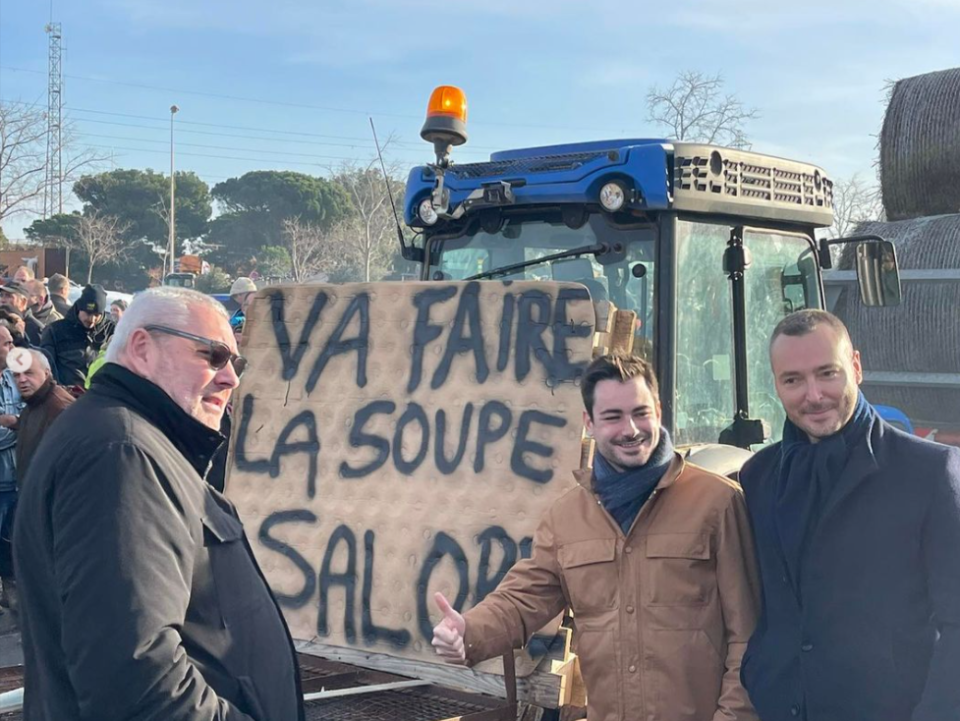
290	83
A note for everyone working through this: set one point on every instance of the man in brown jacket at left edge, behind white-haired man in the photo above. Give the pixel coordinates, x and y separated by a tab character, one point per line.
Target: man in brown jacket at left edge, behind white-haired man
45	401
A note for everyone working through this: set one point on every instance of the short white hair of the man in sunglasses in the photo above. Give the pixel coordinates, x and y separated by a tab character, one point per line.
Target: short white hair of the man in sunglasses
169	306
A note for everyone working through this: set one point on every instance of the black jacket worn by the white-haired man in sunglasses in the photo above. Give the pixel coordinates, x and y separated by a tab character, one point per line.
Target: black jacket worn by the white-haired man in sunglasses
140	595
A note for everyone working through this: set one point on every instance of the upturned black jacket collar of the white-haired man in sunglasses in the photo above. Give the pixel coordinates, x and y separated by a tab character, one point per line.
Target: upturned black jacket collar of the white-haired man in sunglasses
193	439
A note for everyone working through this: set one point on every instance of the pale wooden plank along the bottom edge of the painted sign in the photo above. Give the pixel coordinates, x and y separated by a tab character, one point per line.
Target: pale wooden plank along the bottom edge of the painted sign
541	688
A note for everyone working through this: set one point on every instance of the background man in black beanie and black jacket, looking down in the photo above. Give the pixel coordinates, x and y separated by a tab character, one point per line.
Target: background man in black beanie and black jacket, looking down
74	342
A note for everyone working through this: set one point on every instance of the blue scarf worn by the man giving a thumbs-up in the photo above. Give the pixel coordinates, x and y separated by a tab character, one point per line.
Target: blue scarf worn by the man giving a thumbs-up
623	493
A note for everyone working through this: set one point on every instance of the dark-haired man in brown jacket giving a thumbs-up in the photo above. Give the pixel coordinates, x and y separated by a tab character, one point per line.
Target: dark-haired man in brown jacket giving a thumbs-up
653	556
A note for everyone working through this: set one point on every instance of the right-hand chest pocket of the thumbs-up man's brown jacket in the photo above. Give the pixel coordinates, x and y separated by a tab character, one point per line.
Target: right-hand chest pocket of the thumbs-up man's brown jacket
680	570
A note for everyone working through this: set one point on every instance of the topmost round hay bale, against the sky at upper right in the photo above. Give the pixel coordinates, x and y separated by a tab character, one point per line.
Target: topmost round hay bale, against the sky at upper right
920	147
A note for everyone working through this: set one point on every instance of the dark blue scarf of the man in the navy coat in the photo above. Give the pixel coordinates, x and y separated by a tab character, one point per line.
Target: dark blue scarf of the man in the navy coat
808	474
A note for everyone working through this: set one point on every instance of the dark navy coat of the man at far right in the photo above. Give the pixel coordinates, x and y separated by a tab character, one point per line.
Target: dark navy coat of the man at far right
872	633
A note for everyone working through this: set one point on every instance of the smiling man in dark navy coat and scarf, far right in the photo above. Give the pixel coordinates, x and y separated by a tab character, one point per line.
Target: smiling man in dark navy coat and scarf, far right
857	528
